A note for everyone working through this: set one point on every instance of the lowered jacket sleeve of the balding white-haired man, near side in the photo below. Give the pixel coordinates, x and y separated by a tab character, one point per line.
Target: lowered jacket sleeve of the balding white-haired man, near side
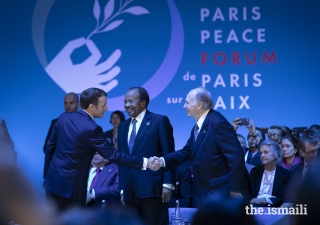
230	147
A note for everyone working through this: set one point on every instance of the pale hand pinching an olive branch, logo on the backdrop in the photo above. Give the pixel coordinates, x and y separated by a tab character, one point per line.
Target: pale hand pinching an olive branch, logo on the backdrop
88	74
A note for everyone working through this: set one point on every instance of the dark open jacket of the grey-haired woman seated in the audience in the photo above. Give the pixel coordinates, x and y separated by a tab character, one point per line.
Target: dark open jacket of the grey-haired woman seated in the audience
279	185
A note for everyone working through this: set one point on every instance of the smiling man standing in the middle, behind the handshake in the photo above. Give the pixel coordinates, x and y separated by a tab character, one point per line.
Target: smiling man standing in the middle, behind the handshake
145	134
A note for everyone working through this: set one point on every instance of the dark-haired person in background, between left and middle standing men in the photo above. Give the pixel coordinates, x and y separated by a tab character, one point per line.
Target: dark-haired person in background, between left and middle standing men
115	119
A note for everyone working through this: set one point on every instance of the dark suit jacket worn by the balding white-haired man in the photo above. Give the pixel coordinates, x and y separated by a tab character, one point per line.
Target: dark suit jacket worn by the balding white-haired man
216	156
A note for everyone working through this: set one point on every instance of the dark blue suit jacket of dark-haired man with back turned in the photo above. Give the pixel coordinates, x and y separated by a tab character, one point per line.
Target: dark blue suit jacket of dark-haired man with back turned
75	139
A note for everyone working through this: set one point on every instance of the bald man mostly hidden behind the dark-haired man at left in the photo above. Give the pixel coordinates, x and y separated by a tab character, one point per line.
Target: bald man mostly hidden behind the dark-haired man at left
71	104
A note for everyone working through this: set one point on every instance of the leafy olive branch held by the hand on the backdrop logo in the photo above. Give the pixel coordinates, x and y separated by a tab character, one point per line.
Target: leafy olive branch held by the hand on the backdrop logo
109	23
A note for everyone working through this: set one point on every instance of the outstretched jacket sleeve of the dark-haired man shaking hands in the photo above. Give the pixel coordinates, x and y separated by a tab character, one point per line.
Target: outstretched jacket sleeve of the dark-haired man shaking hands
99	144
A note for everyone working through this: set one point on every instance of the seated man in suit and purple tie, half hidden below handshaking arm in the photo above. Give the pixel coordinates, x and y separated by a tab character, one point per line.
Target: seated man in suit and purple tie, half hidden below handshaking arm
103	183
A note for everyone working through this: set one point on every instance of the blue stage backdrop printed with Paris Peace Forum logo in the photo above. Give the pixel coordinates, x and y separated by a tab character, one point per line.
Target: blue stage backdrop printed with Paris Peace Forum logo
259	59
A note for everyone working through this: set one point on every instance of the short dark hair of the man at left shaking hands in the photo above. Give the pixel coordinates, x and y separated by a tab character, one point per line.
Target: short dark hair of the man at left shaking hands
91	96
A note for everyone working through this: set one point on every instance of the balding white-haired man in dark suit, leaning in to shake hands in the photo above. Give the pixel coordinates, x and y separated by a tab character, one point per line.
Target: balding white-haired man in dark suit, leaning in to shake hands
213	149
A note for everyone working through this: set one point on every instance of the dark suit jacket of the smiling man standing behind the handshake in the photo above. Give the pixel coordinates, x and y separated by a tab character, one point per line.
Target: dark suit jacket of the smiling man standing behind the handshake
154	138
